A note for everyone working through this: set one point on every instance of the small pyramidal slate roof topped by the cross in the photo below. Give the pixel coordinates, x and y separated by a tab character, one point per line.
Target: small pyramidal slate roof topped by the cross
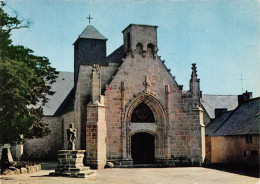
90	32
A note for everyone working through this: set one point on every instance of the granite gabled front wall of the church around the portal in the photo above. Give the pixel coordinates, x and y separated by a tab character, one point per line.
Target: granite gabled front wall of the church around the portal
178	124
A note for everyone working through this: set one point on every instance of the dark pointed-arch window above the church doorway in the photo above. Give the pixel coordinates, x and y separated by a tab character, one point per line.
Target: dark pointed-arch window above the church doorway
142	114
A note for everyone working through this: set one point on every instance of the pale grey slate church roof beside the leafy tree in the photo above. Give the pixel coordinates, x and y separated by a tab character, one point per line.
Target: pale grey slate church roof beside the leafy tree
62	87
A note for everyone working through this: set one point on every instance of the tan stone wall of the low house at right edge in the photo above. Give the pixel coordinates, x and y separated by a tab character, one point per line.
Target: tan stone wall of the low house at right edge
243	149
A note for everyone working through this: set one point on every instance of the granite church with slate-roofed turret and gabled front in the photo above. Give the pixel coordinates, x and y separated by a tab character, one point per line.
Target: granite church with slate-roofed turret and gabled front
127	108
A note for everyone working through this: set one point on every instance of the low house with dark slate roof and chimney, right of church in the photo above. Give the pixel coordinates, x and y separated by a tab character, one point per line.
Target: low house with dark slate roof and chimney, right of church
233	137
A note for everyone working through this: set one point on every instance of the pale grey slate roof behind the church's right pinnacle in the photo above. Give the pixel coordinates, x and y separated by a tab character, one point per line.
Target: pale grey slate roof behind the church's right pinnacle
211	102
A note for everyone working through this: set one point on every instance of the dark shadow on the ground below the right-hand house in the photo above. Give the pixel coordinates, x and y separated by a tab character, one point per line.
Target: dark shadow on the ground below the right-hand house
237	169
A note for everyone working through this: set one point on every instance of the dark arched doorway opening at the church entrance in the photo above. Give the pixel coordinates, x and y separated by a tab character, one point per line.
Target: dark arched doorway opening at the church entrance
142	148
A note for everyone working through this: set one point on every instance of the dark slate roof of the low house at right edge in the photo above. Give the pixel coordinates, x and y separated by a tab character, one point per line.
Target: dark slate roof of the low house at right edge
244	120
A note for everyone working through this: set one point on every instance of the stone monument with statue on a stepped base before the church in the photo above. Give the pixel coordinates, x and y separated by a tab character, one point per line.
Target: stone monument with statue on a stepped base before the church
70	162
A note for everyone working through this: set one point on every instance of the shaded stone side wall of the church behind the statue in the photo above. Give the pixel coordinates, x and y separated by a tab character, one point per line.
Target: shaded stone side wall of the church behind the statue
45	148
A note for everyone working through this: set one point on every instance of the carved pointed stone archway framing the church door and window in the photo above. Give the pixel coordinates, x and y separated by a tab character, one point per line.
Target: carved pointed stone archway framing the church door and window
158	129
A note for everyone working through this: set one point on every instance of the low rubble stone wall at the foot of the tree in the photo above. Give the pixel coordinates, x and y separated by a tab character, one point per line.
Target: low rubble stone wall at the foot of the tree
22	170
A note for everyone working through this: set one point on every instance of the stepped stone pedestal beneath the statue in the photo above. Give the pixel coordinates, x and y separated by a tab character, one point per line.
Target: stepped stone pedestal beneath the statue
70	164
